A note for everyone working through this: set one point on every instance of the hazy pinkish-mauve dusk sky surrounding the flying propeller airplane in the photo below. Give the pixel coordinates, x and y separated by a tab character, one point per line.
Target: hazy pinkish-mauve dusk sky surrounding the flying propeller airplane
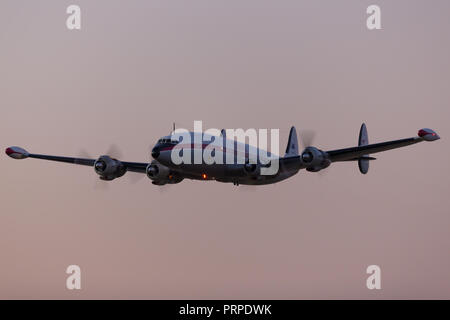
137	66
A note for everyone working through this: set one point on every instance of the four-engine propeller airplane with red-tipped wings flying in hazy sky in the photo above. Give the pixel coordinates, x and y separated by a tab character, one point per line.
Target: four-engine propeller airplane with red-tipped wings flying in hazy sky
162	170
